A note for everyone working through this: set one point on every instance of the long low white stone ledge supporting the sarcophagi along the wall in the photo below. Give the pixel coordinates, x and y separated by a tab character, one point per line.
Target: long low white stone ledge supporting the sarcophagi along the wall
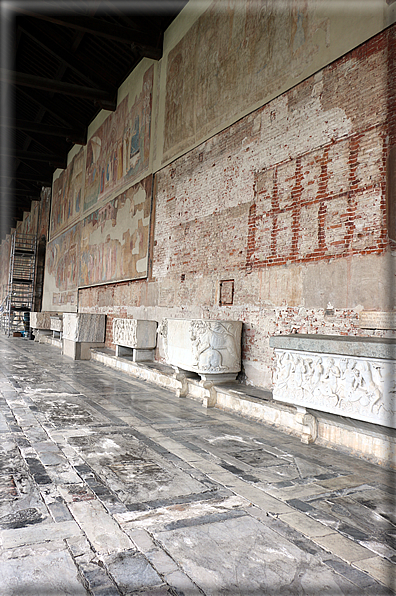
368	441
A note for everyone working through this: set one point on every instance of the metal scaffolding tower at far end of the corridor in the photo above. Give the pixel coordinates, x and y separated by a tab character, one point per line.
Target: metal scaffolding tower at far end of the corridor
18	301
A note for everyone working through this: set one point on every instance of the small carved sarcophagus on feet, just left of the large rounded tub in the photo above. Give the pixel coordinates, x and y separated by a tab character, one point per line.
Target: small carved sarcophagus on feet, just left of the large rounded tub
136	338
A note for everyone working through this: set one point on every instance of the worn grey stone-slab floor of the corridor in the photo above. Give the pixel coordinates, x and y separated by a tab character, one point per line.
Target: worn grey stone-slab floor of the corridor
110	486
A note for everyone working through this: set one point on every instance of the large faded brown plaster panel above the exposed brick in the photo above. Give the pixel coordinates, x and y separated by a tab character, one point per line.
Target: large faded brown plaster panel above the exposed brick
222	60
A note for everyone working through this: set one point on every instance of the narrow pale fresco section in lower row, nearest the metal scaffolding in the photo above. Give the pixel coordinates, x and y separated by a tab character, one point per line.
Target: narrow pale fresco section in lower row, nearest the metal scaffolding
61	271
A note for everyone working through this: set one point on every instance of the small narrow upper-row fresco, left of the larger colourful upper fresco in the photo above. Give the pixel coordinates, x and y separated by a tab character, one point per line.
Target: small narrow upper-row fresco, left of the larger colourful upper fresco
66	196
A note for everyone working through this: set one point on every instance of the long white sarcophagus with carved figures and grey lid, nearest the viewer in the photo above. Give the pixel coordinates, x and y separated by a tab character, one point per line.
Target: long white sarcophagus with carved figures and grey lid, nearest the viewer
351	376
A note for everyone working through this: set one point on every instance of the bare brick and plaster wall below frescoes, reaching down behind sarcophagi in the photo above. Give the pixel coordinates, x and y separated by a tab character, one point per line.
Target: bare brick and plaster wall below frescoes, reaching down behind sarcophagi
290	204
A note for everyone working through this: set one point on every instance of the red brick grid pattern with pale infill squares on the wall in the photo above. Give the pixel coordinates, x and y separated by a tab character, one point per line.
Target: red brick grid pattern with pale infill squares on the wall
327	203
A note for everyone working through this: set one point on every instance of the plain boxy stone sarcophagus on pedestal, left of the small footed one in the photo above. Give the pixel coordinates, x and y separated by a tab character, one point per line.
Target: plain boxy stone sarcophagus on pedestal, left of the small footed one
81	332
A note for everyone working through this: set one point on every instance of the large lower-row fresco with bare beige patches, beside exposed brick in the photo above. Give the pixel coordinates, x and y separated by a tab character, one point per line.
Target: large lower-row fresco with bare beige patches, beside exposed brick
114	238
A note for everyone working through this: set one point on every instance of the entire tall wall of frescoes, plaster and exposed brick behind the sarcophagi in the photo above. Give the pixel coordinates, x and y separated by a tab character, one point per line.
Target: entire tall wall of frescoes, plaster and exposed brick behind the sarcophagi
269	164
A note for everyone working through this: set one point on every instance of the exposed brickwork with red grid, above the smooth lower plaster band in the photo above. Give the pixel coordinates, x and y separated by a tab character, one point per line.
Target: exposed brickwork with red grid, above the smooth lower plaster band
301	179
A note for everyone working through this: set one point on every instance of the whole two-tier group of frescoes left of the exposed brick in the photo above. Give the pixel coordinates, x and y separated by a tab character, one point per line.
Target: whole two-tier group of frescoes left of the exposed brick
97	235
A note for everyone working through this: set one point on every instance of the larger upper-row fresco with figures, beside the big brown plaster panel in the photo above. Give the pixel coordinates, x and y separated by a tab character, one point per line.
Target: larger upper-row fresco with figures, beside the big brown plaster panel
120	148
